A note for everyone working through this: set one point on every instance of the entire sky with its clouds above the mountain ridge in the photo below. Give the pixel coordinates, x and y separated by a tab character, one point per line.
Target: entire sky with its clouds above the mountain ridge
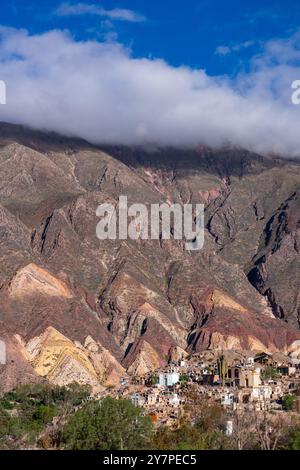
166	72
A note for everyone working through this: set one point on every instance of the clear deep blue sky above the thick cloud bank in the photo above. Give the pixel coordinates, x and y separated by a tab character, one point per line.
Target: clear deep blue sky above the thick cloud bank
181	32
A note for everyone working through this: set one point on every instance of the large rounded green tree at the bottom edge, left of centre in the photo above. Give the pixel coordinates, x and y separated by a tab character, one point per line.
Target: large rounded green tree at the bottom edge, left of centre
108	425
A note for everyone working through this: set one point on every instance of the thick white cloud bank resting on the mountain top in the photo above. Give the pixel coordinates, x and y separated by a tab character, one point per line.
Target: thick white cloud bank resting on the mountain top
101	92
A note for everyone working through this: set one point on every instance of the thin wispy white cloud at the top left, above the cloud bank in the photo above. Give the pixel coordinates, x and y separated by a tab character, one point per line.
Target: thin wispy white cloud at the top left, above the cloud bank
121	14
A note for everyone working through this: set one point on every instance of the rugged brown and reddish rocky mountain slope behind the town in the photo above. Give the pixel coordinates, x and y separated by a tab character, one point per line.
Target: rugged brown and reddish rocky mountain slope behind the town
73	307
